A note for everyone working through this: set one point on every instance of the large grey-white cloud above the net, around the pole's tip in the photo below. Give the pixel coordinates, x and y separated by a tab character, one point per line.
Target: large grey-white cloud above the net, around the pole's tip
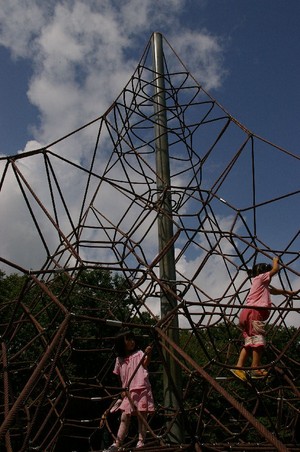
83	53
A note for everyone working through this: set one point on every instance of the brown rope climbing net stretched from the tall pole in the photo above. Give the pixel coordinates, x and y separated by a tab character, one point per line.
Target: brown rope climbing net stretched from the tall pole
91	202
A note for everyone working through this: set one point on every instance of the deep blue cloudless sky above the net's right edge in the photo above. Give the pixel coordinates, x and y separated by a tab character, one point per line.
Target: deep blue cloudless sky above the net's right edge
261	55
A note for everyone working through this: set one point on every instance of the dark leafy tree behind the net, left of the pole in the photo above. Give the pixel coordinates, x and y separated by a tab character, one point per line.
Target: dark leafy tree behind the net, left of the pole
79	369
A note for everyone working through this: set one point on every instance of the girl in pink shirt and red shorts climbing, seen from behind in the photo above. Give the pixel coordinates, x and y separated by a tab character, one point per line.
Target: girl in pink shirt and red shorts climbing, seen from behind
252	319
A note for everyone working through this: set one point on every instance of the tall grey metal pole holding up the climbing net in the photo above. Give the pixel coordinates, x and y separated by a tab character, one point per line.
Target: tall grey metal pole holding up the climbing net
172	373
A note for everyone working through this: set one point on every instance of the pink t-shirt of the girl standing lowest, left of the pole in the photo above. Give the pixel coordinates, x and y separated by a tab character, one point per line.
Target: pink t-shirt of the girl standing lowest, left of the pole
125	368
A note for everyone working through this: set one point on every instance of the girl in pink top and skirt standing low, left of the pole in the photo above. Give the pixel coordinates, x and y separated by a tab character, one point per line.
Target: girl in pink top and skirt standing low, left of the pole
131	366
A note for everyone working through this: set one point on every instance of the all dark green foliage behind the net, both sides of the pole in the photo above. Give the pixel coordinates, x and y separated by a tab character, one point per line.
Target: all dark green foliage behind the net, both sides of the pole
32	313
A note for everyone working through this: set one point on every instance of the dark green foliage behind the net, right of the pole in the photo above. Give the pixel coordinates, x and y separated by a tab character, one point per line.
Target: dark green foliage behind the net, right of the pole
212	348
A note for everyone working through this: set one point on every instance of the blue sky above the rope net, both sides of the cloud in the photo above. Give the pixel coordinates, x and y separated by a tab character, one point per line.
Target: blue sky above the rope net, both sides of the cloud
259	46
